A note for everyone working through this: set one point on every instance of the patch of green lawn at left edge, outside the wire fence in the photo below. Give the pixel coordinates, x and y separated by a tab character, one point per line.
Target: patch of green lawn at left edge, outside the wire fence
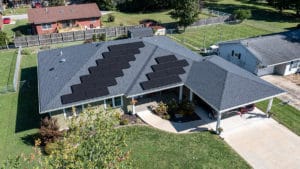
7	62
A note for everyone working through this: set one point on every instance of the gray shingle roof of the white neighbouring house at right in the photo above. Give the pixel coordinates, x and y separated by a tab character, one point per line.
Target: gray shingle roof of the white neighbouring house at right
274	49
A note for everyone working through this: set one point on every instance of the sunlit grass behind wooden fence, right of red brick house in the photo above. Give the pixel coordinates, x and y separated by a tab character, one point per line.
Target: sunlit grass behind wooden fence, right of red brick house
125	19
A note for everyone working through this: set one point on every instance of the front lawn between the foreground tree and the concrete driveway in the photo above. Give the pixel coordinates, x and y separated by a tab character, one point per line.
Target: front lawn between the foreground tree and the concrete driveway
151	148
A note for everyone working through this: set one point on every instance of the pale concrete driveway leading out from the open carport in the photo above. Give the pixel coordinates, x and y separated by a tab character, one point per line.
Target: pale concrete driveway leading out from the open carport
265	144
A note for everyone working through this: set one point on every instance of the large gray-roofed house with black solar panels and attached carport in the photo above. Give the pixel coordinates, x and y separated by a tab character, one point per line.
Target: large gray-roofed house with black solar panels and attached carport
117	73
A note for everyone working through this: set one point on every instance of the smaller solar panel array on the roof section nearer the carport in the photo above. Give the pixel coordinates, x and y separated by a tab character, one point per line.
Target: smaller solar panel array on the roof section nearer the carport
165	72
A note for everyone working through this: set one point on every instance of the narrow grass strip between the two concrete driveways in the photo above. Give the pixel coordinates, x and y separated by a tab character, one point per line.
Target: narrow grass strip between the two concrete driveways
284	114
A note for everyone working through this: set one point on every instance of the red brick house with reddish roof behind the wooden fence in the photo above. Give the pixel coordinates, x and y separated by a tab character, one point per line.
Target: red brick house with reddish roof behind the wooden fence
64	18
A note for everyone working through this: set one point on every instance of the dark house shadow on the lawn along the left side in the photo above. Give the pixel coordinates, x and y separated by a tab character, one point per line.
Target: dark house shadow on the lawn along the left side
27	112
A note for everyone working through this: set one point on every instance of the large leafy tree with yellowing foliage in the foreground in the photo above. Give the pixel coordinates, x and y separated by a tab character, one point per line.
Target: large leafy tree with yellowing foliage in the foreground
92	141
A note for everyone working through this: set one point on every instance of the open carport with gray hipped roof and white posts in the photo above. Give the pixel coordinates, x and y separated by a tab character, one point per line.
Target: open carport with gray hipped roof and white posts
225	87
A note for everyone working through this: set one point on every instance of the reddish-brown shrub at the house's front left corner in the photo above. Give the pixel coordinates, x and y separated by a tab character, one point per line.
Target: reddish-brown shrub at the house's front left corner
49	130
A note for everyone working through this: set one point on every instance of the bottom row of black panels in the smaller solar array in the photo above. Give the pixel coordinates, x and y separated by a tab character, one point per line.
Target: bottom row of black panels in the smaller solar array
160	82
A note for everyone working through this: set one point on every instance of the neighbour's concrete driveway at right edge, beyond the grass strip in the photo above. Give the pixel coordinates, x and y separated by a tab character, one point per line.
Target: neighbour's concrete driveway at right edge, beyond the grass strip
293	90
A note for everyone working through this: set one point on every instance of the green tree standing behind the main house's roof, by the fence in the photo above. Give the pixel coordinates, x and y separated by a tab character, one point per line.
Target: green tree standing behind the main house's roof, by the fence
186	11
